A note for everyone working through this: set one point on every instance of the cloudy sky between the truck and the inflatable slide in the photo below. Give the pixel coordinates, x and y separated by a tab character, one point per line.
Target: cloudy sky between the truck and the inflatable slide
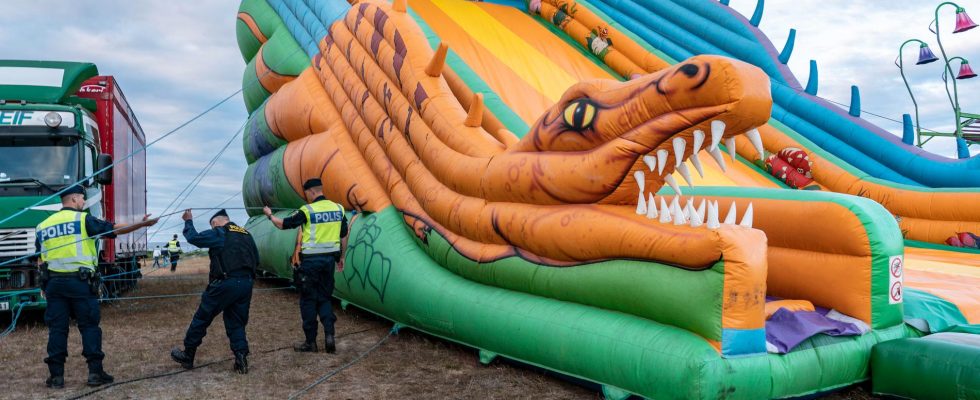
173	60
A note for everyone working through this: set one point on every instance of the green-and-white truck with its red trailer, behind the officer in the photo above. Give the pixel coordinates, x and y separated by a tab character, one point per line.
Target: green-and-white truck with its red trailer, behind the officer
59	123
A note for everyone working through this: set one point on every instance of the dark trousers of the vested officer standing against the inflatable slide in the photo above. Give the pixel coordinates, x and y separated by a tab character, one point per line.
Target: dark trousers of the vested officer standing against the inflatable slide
316	288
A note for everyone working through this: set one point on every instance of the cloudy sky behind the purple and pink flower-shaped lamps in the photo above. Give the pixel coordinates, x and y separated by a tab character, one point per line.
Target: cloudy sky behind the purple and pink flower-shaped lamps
856	43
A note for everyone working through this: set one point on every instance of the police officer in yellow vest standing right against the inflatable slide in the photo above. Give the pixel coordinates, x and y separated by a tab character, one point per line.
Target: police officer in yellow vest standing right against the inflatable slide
324	231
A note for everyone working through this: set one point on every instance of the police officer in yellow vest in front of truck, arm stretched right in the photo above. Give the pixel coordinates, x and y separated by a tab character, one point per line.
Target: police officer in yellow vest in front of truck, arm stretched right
66	244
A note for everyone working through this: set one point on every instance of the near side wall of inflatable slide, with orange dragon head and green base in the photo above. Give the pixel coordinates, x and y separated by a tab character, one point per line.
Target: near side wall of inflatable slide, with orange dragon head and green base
495	239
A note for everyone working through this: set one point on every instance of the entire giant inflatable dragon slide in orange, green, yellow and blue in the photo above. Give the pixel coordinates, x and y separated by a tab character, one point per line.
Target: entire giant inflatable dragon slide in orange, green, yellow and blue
542	182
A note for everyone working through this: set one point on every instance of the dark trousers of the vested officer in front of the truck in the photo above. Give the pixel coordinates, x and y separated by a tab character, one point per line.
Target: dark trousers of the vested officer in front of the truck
68	295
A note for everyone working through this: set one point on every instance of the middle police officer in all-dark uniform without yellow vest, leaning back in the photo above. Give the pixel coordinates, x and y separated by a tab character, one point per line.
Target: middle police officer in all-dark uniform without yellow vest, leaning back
234	258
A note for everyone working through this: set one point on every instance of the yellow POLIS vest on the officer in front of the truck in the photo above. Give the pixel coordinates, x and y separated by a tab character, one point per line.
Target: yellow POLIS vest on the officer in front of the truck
65	244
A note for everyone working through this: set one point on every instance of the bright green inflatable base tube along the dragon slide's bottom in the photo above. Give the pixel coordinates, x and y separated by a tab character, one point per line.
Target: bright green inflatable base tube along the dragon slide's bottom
388	274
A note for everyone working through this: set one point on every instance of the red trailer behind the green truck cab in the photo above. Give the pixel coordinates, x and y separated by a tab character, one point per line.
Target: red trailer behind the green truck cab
124	200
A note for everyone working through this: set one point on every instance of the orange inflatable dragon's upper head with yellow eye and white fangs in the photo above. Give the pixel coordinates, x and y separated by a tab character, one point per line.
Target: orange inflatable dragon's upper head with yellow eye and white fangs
654	123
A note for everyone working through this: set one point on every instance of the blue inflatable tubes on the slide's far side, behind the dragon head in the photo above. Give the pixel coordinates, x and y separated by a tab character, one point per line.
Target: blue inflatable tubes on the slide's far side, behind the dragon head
683	28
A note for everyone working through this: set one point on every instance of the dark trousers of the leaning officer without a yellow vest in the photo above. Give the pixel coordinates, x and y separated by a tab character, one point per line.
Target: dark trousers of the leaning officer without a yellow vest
230	297
